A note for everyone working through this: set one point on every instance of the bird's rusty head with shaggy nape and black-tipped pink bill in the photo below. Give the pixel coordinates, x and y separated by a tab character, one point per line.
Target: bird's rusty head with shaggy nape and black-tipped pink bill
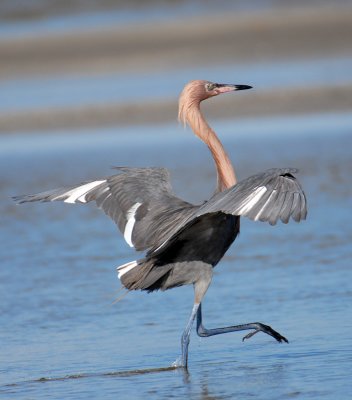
196	91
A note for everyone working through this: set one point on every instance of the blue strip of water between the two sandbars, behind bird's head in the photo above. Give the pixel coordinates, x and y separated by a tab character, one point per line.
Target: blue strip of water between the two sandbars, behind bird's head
33	93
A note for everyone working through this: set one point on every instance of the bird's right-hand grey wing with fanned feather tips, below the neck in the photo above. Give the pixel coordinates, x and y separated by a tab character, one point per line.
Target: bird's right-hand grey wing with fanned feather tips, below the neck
268	196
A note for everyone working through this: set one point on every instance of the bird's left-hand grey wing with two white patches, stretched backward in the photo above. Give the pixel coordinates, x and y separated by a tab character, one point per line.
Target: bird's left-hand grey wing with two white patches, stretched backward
139	200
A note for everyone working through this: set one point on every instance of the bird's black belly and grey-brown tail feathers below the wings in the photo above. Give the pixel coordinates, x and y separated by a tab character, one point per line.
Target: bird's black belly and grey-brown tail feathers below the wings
203	243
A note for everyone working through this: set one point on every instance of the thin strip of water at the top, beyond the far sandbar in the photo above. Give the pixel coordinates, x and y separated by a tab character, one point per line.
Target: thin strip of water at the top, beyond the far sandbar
45	18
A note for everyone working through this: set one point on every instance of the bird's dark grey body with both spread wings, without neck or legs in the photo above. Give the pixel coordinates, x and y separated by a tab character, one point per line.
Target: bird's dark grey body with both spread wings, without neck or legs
177	234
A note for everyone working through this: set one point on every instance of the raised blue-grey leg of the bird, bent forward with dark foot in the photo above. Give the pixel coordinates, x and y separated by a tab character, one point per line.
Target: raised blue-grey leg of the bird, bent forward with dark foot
256	326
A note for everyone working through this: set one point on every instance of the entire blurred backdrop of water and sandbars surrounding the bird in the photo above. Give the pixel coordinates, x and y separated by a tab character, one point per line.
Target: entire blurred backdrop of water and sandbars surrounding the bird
85	85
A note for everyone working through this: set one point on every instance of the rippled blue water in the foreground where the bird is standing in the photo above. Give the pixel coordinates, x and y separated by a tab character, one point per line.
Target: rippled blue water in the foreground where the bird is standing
61	335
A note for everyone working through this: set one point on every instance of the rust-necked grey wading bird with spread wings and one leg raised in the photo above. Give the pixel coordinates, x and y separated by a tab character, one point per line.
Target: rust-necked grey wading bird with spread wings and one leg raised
183	242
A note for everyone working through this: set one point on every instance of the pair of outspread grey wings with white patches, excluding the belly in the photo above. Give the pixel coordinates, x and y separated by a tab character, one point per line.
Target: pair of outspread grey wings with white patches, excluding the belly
160	216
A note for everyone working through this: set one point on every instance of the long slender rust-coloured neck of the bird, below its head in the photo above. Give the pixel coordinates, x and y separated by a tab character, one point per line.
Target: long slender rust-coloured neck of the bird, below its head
226	176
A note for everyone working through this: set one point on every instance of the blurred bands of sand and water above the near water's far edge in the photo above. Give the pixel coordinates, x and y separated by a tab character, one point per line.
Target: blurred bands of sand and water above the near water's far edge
73	64
